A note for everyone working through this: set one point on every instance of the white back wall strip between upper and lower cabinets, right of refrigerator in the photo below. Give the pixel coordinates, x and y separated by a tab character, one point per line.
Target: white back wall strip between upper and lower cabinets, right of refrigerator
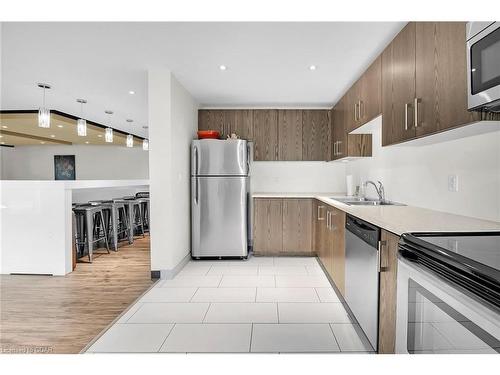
288	176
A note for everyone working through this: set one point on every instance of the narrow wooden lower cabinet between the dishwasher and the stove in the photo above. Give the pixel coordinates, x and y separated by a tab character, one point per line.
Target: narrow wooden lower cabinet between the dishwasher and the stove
388	289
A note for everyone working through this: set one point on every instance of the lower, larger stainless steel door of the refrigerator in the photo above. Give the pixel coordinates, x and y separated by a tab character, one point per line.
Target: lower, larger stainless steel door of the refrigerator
219	216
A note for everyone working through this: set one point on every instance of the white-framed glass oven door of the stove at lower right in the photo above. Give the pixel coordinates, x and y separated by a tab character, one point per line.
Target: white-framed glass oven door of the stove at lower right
434	316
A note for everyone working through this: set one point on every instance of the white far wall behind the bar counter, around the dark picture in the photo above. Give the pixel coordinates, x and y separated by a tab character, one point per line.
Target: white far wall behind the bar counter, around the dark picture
92	162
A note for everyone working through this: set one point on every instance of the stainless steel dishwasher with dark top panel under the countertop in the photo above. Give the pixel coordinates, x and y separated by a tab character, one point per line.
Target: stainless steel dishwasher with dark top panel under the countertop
362	274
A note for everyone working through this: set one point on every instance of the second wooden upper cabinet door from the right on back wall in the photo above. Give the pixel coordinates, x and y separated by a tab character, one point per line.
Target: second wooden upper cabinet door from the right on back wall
290	134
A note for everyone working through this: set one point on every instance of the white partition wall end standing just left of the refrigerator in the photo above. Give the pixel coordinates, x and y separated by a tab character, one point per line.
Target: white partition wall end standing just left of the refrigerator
172	115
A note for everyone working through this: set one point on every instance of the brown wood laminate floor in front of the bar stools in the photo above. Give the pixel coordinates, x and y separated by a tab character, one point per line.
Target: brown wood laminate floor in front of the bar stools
62	314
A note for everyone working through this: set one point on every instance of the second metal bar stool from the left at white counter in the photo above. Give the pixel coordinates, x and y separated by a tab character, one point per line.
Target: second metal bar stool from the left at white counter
116	219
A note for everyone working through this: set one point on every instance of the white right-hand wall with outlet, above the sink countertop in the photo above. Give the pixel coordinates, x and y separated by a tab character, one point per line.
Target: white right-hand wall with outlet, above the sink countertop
418	175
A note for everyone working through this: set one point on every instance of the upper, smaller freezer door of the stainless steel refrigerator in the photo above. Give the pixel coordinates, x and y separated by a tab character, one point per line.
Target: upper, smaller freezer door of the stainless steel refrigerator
213	157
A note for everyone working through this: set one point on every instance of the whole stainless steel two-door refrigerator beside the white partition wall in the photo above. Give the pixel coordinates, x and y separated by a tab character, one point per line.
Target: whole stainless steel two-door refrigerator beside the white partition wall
219	198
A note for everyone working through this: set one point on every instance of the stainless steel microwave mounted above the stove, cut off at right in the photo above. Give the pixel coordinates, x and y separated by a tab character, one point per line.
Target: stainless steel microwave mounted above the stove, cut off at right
483	66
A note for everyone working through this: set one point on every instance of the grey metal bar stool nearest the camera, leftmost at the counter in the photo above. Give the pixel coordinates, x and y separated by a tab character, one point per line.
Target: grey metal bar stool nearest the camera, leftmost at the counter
91	228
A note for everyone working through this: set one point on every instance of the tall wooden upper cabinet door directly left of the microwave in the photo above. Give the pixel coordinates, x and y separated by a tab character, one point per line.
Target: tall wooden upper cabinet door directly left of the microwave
441	80
